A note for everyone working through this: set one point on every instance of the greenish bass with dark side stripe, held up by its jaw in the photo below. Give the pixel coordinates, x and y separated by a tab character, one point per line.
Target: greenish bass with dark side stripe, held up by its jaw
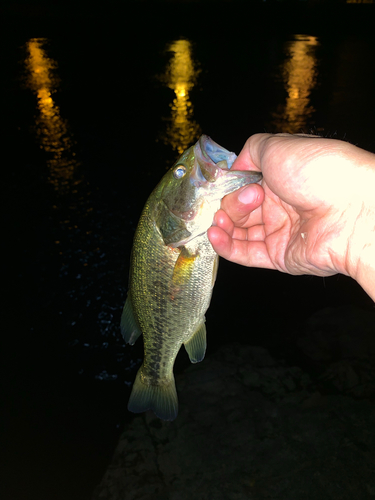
173	270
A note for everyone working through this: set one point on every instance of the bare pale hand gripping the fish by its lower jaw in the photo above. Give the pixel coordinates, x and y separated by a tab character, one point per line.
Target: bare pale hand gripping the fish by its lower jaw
314	212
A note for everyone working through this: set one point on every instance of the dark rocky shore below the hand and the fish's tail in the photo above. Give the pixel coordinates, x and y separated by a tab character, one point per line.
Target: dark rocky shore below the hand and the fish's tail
253	427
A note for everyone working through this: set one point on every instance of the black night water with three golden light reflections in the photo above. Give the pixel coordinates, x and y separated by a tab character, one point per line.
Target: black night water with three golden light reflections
96	105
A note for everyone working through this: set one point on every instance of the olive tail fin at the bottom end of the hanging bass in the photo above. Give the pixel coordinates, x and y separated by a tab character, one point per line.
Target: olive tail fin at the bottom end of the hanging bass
161	399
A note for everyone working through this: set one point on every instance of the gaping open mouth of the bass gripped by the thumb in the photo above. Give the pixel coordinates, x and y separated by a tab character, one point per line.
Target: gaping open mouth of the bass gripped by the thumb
213	164
